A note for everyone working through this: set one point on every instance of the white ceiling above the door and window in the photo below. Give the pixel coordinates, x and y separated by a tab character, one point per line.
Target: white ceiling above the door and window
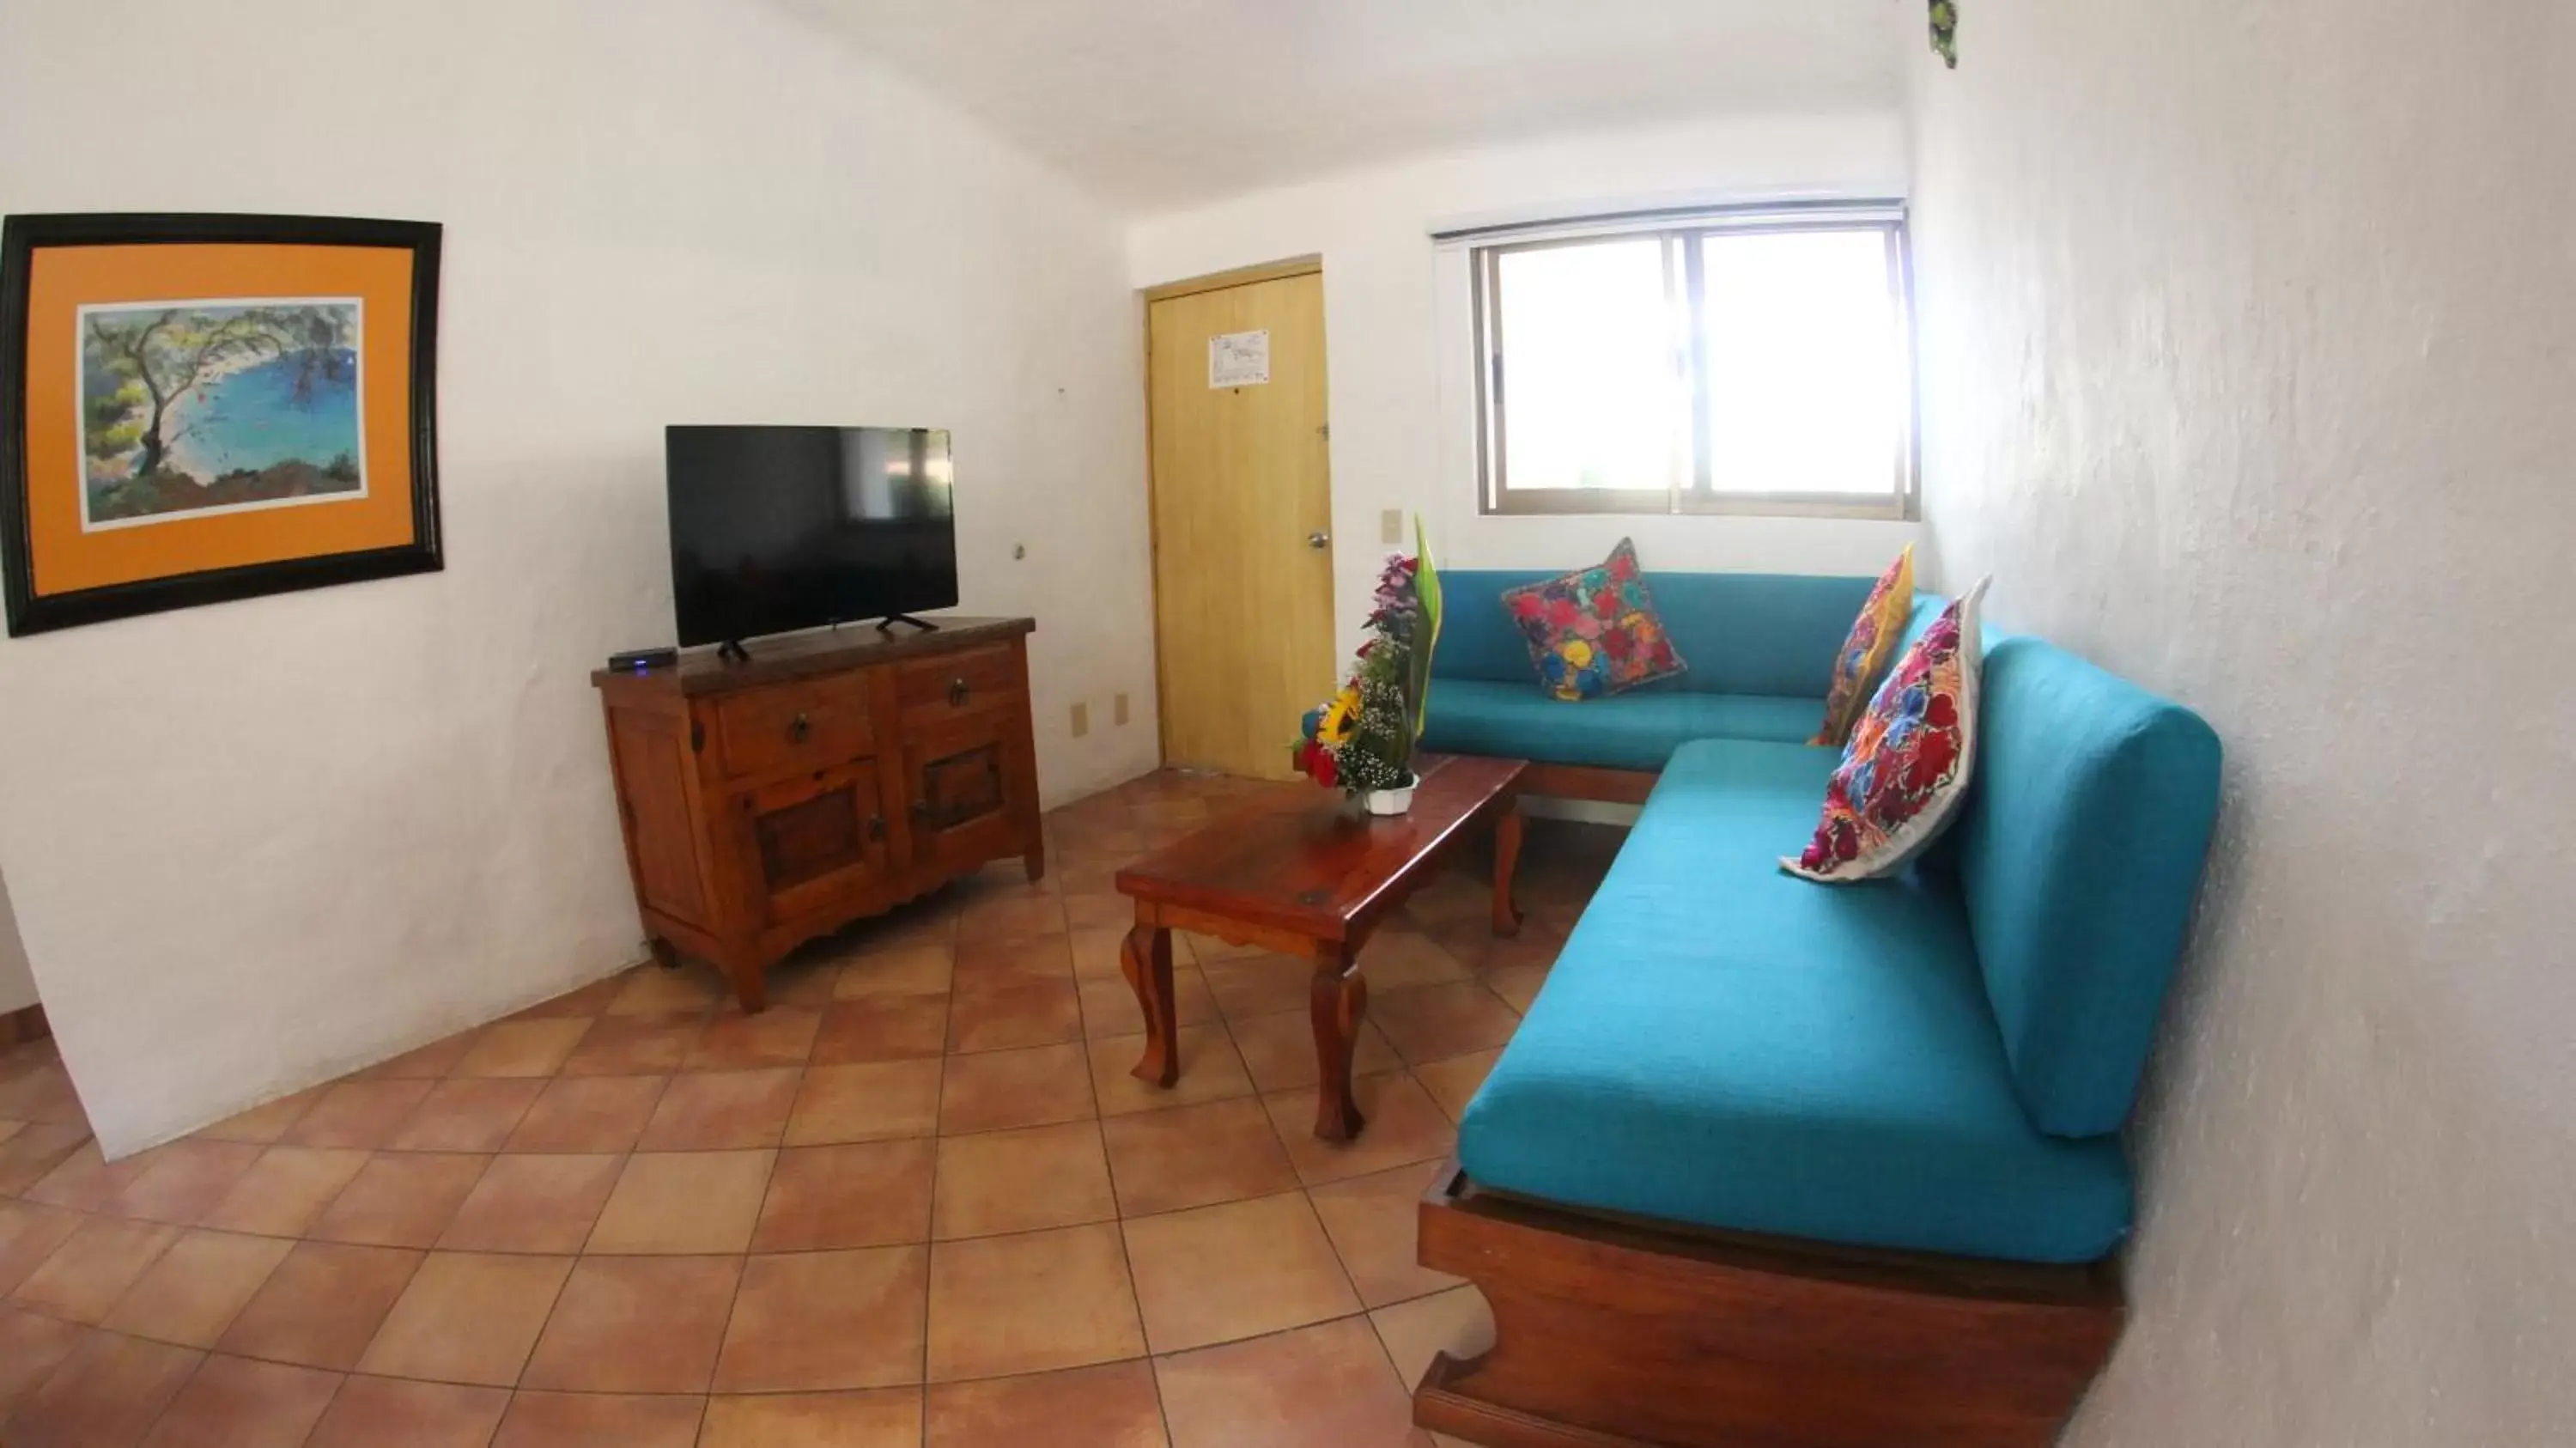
1173	102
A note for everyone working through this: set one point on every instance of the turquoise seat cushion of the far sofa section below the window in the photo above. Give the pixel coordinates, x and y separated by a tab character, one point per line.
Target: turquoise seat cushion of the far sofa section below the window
1627	733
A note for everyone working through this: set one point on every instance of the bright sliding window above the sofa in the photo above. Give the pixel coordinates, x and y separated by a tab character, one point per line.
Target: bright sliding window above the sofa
1719	365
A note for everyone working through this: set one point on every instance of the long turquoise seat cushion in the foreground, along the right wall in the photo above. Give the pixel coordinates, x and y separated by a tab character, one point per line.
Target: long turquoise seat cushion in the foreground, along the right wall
1732	1047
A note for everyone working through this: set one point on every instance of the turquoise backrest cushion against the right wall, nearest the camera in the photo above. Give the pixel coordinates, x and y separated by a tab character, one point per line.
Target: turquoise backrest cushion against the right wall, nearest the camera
2078	854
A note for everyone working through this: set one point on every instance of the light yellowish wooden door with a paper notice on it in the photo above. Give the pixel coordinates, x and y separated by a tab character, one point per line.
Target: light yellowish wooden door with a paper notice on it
1243	517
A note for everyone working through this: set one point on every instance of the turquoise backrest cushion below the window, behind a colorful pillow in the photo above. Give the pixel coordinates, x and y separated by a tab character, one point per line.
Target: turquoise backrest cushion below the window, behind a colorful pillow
1740	633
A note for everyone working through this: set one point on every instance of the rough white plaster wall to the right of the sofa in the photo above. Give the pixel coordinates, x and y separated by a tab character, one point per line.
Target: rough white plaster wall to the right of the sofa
2250	349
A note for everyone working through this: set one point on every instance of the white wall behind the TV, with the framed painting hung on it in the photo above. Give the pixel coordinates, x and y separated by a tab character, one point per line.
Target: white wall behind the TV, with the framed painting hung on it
264	844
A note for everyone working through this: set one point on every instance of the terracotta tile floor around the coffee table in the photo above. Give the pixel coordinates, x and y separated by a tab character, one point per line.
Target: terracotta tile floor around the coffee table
916	1202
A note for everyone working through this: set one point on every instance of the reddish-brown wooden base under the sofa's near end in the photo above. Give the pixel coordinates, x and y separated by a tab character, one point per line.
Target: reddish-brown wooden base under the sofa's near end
1619	1333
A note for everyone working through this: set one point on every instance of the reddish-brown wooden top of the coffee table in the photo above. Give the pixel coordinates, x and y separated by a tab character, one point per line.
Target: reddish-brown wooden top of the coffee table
1323	870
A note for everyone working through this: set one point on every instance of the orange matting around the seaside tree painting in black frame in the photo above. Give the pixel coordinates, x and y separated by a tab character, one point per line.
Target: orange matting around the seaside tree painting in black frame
66	280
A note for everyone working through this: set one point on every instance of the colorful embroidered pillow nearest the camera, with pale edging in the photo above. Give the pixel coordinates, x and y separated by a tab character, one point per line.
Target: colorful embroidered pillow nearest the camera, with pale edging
1910	756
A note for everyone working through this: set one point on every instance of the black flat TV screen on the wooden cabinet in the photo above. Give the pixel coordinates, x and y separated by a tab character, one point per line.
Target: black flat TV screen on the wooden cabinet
779	529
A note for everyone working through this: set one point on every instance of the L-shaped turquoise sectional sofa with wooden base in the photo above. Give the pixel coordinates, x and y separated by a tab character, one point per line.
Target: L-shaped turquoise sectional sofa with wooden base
1918	1076
